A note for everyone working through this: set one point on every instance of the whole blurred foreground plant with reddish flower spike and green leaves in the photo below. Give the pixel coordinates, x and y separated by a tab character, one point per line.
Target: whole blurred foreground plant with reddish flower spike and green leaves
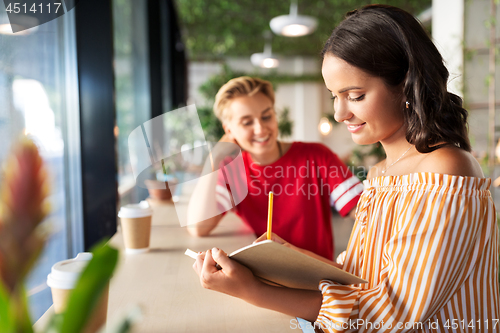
23	206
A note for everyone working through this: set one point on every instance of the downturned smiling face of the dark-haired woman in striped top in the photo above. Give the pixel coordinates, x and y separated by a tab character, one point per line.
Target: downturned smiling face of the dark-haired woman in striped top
371	111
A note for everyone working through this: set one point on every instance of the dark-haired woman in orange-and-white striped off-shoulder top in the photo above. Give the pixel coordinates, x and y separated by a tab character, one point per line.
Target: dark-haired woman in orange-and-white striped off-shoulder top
425	236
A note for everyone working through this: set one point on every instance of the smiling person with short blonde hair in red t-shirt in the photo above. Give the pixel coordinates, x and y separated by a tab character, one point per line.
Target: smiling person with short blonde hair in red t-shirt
306	178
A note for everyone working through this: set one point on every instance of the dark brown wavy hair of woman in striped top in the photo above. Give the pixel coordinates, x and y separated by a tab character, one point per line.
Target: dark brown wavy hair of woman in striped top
389	43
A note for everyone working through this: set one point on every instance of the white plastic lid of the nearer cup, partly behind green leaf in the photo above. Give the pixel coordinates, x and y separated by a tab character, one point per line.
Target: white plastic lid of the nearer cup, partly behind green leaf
64	274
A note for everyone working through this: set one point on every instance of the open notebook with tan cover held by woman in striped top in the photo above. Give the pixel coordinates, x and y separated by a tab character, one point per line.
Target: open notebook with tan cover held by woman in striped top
279	264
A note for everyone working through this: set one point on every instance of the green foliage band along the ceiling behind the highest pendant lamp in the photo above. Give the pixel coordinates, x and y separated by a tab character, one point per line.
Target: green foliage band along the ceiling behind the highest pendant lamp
214	29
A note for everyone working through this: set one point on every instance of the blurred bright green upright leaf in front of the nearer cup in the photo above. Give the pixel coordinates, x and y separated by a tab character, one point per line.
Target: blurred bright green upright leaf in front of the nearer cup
89	288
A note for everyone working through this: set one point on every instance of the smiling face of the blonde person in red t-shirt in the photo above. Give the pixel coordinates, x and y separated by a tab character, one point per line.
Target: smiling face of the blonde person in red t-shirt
252	123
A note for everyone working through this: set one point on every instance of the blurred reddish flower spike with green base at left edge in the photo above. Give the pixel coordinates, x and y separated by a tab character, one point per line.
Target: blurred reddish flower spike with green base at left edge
22	208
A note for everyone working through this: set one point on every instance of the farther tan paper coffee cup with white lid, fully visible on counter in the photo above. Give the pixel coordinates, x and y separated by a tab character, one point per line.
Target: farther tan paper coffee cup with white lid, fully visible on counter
136	227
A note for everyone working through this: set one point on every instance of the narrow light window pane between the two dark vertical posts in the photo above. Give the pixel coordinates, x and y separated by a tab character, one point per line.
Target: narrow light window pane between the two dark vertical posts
131	85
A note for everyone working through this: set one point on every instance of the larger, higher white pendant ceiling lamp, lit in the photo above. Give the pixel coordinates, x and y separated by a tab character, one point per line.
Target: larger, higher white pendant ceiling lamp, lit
293	25
